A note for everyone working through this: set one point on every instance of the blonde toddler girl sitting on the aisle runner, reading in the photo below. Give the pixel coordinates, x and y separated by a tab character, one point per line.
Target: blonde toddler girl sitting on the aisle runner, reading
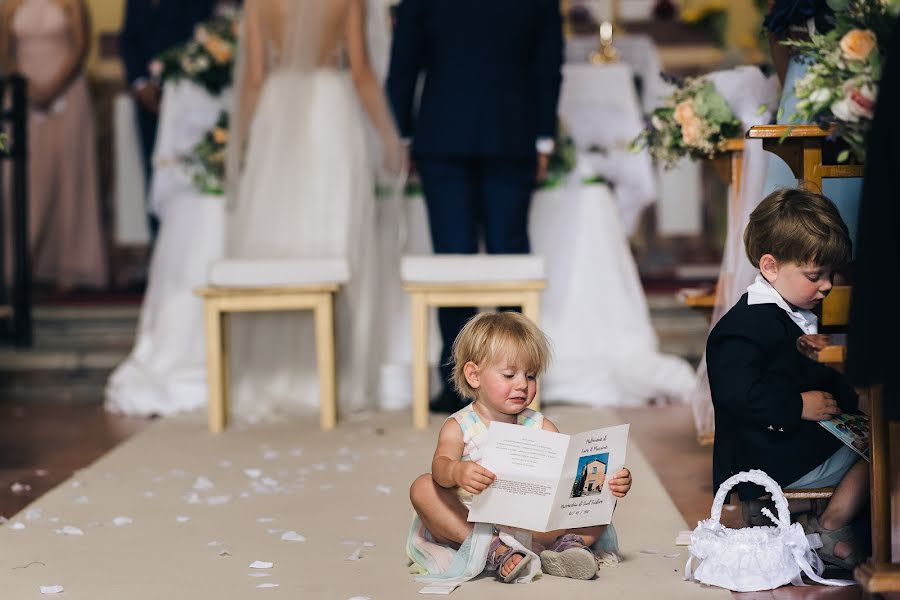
497	359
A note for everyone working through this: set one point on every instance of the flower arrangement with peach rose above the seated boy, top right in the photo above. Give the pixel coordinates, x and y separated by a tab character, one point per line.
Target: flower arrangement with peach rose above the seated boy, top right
840	87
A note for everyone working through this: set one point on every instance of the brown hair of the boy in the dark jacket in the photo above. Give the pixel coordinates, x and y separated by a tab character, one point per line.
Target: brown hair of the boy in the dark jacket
796	225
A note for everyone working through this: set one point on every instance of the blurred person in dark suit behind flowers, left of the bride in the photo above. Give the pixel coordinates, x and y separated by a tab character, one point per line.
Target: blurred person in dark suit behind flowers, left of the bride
150	27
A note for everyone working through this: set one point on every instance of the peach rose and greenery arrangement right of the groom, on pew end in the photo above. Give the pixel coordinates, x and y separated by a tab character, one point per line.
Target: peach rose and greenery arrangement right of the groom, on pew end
694	121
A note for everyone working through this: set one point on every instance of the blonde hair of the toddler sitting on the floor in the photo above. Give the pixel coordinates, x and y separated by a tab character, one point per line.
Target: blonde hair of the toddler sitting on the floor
488	337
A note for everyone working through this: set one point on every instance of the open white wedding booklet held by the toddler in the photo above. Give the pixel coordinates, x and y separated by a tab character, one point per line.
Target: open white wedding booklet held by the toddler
547	480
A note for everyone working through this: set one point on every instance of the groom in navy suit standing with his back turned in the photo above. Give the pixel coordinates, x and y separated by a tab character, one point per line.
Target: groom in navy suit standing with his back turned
483	127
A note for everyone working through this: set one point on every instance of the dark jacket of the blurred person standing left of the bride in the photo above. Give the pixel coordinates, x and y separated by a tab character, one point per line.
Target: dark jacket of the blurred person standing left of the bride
152	26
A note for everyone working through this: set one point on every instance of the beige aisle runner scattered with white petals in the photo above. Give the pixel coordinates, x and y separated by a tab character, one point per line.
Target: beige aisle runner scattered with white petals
177	513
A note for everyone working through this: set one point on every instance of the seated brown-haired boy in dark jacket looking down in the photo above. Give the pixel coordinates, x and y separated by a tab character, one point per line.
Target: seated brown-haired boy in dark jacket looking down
768	397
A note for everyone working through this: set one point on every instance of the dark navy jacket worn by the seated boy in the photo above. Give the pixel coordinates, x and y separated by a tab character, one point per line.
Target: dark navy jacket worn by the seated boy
756	376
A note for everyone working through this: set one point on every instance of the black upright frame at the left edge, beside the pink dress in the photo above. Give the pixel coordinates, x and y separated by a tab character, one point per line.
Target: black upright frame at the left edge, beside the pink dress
15	306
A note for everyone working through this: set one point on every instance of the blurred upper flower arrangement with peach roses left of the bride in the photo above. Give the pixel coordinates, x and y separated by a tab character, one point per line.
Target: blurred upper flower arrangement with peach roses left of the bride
207	58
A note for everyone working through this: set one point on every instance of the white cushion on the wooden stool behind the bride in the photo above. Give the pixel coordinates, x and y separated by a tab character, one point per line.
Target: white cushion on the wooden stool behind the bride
283	273
